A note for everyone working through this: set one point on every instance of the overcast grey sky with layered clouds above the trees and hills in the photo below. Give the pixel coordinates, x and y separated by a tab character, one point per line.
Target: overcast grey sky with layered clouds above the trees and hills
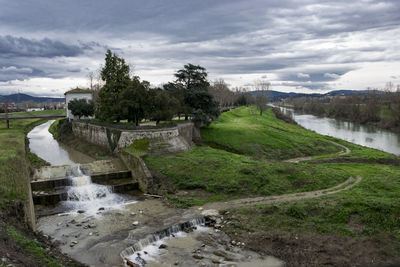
48	47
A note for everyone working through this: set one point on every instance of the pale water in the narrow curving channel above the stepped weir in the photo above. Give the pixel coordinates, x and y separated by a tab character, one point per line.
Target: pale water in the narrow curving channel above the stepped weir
42	143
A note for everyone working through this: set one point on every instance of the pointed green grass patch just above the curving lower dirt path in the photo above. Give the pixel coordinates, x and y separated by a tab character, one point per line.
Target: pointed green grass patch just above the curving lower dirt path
227	175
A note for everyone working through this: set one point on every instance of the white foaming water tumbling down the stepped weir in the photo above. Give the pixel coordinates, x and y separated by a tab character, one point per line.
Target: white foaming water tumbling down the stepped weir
83	195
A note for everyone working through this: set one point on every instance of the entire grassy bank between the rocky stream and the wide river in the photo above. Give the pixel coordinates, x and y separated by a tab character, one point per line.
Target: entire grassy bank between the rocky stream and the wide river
358	226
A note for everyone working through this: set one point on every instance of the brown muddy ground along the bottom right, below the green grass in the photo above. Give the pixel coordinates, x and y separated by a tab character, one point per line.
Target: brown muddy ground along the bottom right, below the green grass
319	250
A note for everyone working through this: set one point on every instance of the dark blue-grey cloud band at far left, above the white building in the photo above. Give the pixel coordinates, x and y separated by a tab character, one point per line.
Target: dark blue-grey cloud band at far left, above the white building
11	46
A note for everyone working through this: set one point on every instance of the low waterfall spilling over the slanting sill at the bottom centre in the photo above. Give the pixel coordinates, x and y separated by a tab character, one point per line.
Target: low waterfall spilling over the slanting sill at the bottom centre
132	252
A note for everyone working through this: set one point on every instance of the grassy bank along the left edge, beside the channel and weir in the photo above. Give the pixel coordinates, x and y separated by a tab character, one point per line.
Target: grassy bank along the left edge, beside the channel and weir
19	246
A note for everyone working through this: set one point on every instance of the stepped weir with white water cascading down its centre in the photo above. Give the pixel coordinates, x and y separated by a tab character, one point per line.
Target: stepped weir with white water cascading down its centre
78	185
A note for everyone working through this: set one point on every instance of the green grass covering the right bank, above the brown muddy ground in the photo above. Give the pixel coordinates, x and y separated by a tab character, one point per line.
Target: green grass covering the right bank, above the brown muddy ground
370	209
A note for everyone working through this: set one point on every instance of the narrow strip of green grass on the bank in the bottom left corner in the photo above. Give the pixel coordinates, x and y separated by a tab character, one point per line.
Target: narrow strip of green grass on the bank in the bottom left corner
32	247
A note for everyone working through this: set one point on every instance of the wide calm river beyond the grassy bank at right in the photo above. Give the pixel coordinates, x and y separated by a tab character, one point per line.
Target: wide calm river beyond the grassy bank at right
365	135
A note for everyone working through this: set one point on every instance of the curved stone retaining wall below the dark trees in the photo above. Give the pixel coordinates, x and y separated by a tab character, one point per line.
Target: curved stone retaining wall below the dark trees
164	140
